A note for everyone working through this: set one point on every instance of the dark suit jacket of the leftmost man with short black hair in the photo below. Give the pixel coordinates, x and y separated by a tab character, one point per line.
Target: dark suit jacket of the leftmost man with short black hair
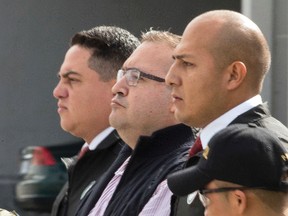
85	172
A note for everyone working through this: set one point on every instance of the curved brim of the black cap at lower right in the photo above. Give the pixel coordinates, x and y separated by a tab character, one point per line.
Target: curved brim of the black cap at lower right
187	181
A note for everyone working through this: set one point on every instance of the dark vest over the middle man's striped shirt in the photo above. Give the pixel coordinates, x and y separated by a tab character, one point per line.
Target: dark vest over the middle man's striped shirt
164	149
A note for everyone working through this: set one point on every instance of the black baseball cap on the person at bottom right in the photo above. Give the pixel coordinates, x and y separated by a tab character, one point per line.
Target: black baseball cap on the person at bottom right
240	154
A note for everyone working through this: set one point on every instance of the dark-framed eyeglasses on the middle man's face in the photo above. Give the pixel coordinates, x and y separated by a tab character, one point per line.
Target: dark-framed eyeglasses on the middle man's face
132	76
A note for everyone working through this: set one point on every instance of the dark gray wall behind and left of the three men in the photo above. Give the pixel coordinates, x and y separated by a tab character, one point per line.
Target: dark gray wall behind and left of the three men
34	37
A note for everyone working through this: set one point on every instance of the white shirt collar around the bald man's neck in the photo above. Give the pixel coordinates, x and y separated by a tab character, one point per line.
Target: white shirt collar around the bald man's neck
224	120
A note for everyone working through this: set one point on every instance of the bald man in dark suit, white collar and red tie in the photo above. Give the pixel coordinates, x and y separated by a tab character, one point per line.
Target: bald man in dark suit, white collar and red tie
216	79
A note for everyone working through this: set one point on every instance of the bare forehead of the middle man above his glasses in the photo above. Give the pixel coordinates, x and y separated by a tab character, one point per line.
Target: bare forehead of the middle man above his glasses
152	57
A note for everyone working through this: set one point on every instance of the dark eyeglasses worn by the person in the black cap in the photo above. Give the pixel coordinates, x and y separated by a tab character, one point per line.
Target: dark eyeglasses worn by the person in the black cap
206	201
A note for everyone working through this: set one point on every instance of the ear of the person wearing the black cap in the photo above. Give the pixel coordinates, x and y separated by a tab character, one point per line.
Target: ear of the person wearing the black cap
239	201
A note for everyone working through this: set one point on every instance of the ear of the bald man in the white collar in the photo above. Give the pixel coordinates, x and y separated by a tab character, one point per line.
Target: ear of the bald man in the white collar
236	73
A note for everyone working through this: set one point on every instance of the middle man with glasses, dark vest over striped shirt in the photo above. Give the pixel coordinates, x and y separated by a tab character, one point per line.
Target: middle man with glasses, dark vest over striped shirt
157	144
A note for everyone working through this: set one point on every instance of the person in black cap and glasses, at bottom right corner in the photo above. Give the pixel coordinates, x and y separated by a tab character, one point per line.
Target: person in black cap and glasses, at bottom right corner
243	171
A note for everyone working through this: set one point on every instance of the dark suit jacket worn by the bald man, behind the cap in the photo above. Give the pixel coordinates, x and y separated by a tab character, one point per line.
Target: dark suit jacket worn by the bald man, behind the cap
259	116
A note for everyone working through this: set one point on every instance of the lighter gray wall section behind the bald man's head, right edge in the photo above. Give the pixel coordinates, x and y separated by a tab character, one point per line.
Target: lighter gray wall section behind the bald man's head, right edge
271	16
